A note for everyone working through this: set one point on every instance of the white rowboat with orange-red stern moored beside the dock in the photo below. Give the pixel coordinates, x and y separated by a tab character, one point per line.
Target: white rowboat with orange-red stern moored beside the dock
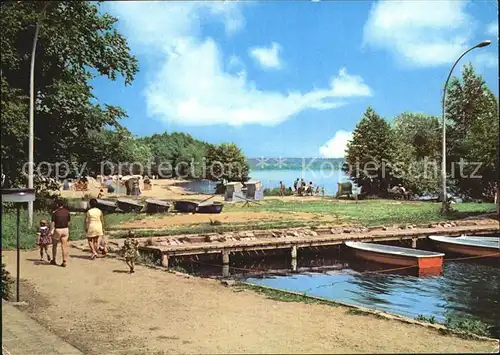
390	255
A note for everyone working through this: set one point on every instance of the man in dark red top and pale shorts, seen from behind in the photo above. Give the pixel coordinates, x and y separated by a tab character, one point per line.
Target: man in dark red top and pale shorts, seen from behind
59	229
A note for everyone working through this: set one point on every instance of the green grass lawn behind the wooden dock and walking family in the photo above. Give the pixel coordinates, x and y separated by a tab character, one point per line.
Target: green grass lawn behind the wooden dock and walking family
365	213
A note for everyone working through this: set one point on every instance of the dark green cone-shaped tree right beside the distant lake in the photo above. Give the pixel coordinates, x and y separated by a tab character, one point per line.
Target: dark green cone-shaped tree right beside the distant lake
369	154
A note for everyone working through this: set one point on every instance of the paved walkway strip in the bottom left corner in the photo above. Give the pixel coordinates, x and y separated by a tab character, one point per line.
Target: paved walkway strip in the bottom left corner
22	335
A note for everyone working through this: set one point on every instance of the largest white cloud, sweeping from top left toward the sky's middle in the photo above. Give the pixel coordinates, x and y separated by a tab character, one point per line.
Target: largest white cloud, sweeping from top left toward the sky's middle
191	83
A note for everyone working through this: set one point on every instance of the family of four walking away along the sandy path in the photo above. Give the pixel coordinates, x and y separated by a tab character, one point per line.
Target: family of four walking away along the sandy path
57	232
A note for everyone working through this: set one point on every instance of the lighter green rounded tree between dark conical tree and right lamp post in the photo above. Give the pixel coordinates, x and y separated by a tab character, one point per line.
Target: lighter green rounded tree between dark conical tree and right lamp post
417	142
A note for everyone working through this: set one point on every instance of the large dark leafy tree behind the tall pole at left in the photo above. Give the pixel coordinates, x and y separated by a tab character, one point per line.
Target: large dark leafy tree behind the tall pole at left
76	44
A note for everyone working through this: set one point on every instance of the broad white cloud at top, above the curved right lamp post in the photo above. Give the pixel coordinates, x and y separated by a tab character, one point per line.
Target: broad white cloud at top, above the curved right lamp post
419	33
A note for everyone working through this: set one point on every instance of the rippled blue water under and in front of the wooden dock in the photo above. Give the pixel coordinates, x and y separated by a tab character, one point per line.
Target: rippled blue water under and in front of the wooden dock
464	288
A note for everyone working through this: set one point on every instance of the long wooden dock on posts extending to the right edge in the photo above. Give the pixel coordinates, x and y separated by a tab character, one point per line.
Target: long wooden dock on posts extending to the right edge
225	244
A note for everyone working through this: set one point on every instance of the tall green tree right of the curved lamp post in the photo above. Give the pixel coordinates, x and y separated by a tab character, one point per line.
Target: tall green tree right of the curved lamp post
473	126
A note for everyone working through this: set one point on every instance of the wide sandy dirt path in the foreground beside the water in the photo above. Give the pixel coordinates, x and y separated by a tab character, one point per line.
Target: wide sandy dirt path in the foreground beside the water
98	308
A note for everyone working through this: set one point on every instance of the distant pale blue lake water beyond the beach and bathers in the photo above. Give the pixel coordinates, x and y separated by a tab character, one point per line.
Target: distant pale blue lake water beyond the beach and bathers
271	179
